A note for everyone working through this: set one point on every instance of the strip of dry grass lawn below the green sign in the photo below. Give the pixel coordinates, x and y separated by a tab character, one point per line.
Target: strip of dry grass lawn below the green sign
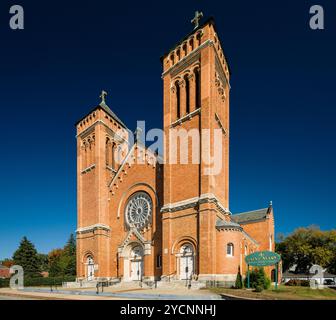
282	293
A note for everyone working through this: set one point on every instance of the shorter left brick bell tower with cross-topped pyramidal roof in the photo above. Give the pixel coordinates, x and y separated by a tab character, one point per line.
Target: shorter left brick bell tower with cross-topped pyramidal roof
102	142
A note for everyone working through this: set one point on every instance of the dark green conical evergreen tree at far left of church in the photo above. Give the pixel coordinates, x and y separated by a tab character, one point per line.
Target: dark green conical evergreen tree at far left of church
26	257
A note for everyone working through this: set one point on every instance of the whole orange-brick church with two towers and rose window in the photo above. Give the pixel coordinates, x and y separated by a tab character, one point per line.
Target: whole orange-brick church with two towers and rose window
144	219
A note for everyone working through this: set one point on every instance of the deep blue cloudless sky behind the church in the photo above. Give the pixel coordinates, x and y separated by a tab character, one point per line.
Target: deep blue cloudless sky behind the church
282	103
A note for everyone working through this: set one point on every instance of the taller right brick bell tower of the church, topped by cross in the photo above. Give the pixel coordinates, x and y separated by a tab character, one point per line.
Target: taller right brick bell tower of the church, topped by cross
196	171
